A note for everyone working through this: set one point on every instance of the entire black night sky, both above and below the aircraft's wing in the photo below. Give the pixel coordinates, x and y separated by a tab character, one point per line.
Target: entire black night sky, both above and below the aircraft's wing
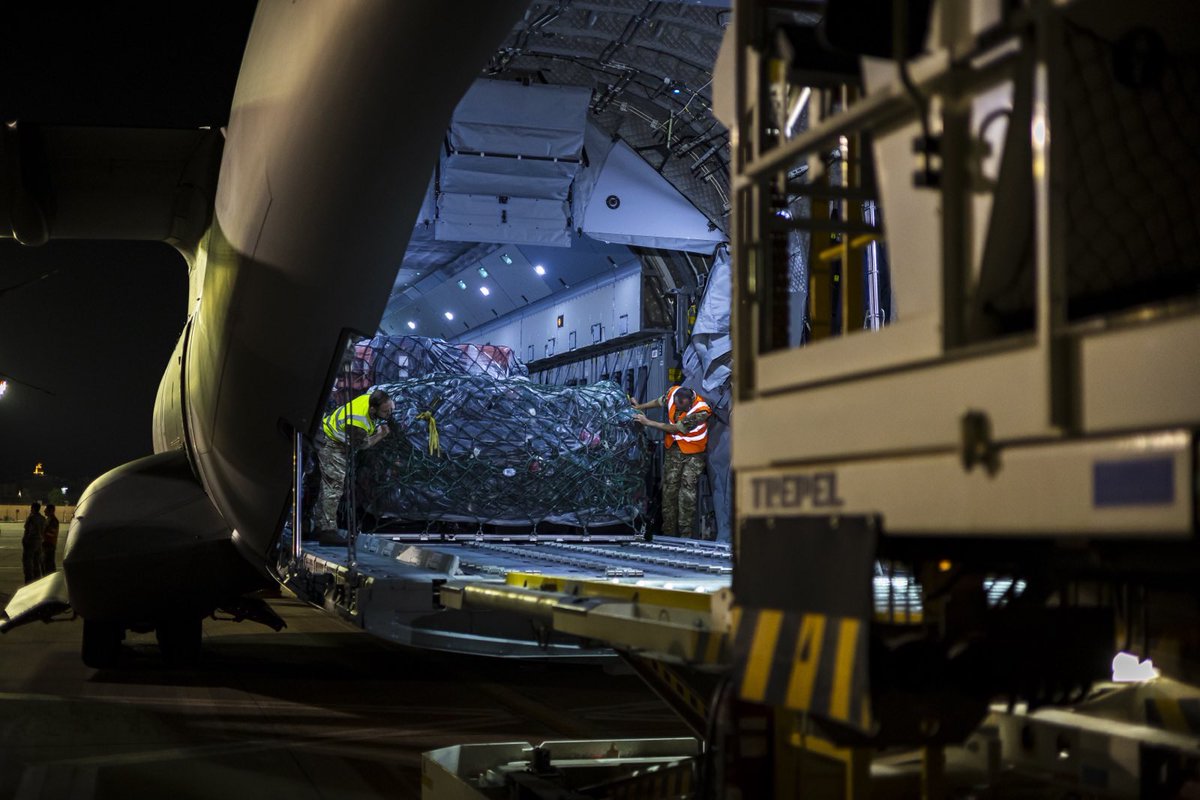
99	330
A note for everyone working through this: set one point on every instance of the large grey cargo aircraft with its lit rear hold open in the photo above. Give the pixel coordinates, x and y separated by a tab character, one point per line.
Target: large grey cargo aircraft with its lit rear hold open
292	220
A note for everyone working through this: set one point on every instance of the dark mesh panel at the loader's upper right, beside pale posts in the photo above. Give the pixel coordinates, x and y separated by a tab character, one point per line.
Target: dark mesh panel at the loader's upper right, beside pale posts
1132	121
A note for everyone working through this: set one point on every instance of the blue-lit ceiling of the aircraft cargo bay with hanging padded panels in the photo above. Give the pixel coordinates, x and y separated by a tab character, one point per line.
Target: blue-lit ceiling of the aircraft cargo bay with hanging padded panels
589	134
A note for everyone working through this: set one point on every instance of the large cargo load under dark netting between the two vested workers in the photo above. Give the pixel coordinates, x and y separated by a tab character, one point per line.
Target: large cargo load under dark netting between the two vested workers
506	452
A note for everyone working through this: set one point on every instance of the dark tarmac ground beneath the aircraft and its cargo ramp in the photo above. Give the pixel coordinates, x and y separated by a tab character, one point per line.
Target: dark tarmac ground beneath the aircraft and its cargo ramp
319	711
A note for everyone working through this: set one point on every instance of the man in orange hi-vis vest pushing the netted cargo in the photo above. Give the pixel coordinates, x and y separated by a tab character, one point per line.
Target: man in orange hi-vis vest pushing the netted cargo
687	437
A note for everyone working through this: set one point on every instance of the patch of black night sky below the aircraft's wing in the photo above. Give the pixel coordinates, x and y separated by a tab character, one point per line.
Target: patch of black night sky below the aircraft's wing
98	333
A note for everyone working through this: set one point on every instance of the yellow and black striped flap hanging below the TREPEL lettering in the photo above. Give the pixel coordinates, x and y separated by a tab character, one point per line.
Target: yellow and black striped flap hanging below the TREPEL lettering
803	661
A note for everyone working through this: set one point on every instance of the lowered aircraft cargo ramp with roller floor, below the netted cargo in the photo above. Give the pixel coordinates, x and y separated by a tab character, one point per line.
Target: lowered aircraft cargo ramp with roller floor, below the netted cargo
392	586
